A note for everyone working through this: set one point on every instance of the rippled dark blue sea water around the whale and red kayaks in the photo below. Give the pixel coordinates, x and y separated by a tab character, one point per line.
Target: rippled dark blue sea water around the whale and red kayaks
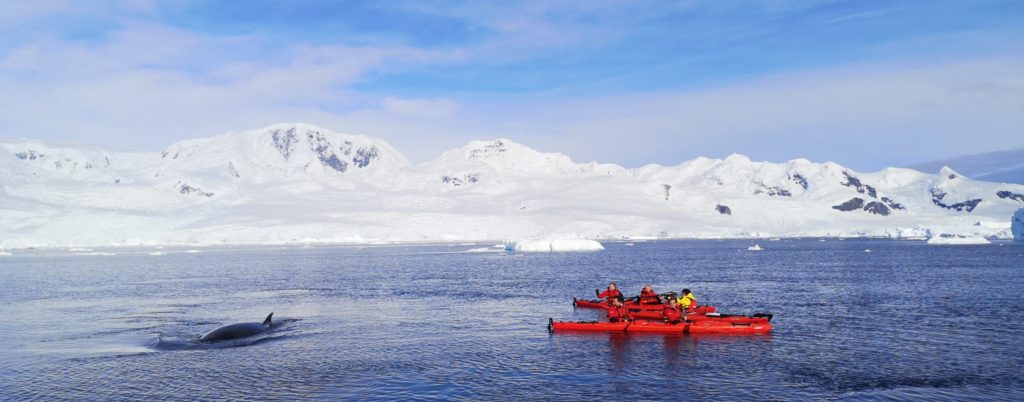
907	321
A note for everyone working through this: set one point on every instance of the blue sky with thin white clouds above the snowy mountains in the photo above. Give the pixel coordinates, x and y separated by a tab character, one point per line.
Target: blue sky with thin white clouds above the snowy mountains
867	84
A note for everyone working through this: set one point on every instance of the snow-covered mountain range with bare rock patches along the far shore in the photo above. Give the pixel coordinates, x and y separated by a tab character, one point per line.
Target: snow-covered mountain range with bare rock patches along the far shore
302	184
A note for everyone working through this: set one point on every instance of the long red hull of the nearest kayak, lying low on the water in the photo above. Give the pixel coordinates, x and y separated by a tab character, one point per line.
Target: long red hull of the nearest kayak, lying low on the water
660	328
